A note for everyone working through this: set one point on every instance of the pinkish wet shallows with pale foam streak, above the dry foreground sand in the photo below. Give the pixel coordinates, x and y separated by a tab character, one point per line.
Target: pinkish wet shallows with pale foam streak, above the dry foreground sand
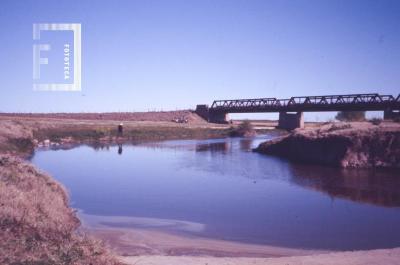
133	236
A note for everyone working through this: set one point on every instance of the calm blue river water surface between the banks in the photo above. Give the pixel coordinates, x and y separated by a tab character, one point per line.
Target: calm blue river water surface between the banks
230	193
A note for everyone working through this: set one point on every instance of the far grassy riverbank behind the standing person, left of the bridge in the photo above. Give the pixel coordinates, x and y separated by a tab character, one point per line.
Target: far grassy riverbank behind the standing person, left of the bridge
20	135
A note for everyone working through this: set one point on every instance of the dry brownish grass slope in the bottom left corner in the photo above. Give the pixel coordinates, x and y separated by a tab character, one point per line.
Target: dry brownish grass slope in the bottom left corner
36	224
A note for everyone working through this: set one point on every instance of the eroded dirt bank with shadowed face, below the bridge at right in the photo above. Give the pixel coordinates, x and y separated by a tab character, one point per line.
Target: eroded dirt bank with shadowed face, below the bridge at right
355	145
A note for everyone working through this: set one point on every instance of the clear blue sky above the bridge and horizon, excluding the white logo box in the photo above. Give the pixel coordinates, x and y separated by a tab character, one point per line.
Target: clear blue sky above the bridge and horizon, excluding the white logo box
146	55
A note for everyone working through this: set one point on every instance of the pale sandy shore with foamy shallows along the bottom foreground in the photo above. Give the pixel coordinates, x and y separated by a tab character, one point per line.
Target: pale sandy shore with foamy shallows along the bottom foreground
146	246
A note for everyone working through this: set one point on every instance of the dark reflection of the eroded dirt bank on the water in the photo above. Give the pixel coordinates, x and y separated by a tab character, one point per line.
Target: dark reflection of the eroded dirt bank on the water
379	187
